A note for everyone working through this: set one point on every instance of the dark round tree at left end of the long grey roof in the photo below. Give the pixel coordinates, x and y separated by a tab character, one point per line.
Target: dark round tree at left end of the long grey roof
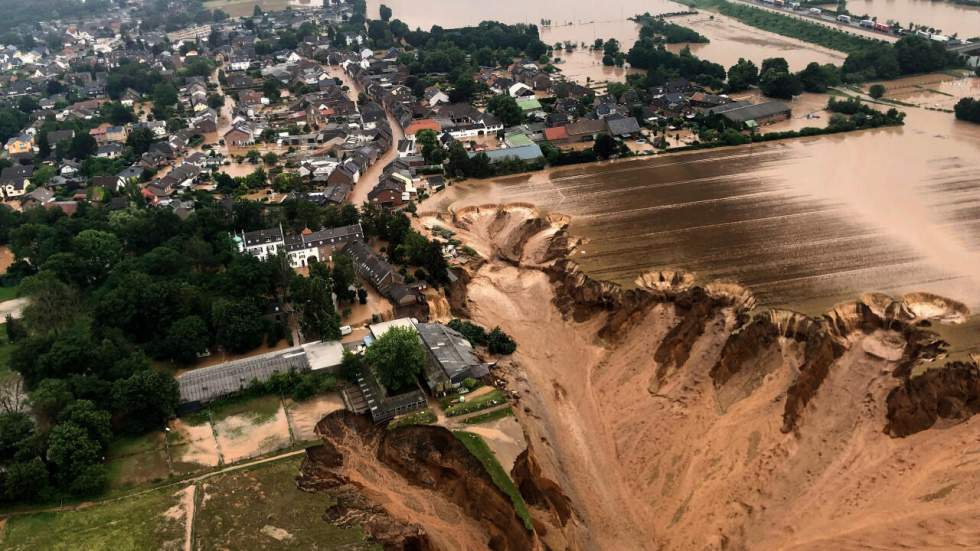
145	400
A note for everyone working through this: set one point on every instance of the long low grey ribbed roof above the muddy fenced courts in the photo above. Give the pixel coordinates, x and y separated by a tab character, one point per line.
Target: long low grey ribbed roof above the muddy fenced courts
208	383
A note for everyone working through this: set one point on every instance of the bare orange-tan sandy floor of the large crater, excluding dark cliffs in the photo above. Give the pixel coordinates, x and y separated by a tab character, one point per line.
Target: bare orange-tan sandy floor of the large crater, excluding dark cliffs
661	456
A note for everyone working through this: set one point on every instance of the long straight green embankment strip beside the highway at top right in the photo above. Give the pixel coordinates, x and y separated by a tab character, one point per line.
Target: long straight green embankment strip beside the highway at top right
791	27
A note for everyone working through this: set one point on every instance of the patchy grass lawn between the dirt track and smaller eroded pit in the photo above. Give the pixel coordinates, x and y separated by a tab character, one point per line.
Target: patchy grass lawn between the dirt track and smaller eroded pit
252	508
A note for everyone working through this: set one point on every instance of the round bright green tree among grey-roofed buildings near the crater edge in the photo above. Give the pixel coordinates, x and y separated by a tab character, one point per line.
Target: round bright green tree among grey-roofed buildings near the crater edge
398	358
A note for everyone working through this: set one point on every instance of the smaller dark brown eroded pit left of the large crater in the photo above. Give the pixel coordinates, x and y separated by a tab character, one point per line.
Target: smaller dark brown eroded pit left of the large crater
415	488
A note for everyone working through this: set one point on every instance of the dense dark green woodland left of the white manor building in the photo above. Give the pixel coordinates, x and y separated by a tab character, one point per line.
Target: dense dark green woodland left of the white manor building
109	292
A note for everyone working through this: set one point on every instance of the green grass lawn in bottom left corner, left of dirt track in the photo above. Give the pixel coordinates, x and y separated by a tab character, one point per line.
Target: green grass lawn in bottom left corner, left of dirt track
134	523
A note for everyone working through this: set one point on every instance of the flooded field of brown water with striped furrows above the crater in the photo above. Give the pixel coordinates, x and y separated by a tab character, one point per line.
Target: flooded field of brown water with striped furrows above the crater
803	223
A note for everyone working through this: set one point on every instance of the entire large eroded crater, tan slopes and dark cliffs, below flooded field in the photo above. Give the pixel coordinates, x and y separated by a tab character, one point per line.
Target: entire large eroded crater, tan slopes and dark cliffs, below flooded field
673	416
